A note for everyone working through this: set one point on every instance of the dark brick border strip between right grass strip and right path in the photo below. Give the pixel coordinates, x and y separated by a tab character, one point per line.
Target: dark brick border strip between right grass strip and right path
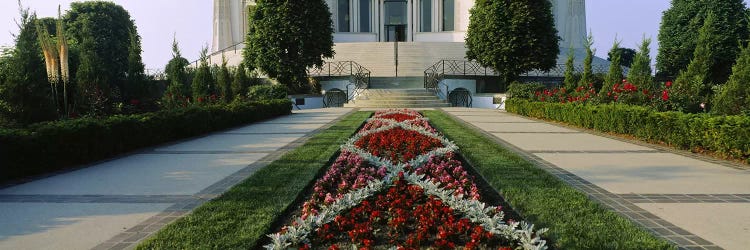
634	213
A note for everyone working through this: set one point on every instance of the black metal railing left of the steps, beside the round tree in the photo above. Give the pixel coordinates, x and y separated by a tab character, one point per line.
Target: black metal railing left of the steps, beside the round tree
358	76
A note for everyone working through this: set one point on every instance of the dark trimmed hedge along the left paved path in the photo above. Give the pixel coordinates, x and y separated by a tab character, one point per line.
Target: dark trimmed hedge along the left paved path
51	146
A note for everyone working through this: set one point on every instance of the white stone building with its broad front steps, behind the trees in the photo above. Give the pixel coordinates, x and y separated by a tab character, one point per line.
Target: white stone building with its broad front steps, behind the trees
428	32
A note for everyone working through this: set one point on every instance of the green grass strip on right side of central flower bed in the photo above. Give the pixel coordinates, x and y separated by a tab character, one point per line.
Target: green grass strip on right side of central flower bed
575	221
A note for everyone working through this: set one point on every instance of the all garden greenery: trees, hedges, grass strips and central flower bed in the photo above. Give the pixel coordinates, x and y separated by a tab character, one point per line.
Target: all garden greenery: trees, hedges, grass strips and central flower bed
74	91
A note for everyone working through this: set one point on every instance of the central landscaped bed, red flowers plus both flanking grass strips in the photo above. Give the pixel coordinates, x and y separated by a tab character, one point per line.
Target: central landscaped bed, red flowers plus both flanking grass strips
360	199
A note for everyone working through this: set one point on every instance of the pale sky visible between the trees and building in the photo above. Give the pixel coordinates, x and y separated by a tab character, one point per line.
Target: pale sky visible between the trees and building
190	21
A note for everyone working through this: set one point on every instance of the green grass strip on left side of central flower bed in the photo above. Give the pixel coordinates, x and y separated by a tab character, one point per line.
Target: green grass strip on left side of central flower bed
240	217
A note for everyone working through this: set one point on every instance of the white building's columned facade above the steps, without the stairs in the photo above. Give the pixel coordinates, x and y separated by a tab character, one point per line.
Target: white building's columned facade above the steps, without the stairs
357	21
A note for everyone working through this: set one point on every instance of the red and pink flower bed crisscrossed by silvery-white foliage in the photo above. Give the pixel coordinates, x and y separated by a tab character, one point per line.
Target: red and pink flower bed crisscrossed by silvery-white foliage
396	184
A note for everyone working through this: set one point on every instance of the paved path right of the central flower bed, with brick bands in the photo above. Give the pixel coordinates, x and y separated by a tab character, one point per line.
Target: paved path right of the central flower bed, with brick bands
693	201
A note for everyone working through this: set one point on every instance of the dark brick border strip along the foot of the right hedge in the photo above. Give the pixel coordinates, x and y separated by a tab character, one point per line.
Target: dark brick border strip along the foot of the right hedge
663	149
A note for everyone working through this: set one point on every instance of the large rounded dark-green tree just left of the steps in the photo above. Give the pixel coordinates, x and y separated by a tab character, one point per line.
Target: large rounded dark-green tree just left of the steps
288	37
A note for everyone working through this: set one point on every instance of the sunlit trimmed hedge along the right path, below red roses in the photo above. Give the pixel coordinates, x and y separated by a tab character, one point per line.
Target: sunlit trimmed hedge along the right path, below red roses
727	136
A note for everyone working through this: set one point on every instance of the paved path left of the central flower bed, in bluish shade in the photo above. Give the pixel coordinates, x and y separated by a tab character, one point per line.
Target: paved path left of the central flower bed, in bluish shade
114	204
